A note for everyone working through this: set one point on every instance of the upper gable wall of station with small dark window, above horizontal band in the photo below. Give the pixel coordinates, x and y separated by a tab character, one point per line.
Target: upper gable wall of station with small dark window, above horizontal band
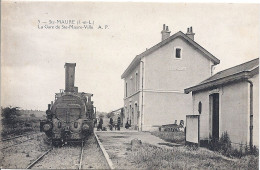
164	71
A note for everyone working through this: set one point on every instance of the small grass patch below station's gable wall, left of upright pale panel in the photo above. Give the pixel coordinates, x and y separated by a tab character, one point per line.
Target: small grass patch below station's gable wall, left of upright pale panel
174	137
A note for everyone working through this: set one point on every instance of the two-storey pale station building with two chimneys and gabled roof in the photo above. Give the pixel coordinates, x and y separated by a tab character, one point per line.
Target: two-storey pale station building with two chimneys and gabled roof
155	80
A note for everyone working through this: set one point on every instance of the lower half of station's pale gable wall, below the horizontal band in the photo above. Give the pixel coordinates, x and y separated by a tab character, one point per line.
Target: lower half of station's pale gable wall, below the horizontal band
165	108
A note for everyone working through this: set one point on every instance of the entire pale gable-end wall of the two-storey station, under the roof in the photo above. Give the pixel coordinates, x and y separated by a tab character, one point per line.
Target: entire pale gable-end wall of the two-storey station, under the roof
166	78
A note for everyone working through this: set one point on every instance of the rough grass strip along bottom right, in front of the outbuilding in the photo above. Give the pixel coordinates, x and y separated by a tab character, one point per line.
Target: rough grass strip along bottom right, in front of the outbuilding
152	157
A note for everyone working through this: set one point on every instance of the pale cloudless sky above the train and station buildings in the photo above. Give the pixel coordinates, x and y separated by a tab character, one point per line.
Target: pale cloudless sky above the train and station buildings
32	58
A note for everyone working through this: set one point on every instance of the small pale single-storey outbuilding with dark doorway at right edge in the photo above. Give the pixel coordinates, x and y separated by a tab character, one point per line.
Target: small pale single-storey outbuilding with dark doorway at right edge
228	102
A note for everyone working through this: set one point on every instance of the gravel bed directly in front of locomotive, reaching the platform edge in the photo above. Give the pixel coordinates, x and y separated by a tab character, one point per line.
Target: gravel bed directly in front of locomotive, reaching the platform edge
68	156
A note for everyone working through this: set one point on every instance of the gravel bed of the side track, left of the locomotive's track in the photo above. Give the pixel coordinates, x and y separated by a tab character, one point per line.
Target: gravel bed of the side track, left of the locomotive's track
21	155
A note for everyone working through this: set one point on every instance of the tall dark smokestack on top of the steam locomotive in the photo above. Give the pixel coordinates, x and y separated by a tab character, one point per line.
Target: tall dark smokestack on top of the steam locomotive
69	77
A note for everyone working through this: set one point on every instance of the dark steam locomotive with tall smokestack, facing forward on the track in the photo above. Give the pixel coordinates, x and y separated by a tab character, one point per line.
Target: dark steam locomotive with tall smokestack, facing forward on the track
71	117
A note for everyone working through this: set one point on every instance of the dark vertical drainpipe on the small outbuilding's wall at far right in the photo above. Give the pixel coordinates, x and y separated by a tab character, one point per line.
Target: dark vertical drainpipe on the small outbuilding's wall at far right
251	115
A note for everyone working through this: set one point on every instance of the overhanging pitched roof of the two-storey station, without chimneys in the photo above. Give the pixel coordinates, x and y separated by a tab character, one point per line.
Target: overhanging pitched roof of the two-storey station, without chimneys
137	59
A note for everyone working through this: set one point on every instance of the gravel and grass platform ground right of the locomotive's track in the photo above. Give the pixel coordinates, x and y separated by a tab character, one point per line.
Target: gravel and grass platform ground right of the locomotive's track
149	155
